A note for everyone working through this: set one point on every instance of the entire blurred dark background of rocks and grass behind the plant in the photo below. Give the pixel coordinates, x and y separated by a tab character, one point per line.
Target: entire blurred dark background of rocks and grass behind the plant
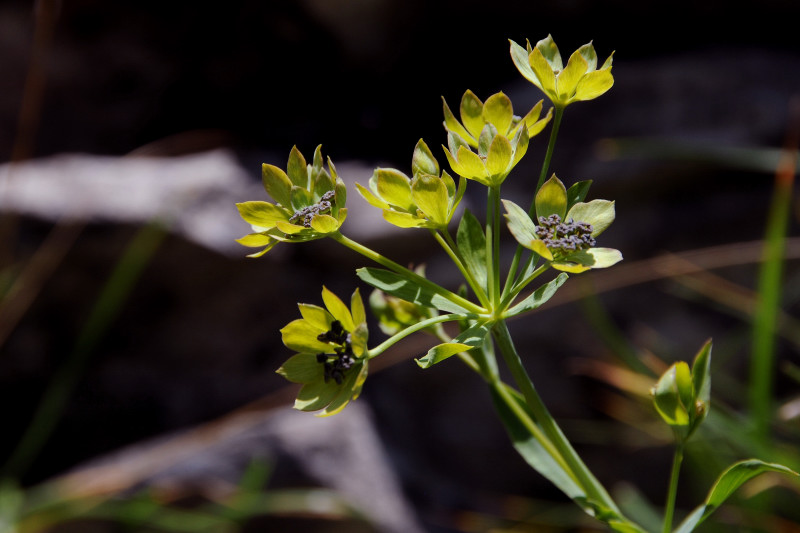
138	345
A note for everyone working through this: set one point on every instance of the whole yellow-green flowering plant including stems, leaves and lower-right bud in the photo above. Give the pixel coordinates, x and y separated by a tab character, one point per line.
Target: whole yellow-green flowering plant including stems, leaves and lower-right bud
559	231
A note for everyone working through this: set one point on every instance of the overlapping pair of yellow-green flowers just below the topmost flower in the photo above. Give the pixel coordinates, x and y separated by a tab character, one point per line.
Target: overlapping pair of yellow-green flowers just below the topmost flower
500	137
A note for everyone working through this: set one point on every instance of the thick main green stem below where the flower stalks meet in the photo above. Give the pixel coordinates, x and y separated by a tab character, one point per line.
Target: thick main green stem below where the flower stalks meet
594	490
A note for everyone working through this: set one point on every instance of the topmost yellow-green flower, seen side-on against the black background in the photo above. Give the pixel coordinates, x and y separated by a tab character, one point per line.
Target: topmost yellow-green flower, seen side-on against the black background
579	80
